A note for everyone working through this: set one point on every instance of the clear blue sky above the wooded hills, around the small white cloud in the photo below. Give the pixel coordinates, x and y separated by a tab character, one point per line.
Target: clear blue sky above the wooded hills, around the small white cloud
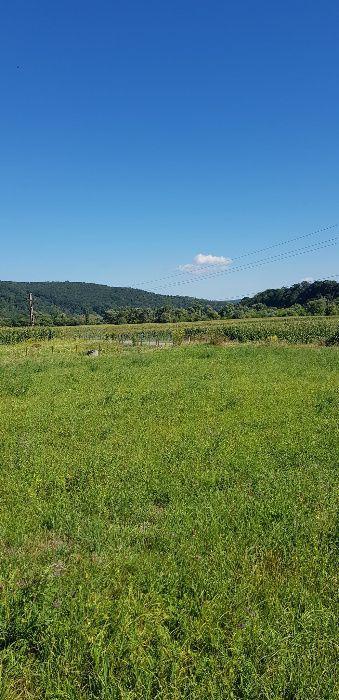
137	135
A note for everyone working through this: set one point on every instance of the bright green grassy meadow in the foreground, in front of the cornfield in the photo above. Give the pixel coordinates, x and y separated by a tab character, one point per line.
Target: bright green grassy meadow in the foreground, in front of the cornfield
169	524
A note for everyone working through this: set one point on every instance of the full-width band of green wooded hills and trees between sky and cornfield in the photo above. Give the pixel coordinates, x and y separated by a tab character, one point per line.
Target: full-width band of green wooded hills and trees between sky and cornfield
77	303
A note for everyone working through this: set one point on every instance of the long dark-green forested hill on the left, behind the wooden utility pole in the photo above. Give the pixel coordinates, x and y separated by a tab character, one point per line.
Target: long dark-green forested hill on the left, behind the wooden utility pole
76	298
